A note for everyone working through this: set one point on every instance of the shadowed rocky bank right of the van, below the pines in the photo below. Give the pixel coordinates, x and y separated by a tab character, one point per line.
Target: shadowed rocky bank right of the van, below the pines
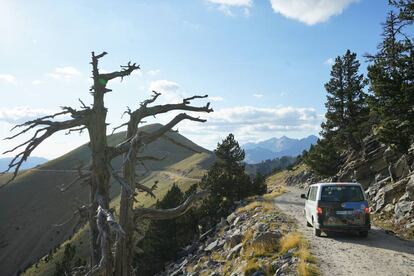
387	177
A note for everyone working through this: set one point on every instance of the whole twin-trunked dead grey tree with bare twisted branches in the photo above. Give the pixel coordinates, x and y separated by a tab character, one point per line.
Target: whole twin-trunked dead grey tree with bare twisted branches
93	119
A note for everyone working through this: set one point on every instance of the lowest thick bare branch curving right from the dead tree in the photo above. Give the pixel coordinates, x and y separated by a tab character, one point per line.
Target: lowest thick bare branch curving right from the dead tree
159	214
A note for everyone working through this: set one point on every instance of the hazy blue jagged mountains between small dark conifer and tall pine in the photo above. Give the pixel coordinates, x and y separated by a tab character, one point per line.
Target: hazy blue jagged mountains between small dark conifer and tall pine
276	148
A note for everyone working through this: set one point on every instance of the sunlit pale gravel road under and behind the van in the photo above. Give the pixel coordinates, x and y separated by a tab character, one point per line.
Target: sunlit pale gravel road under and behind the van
346	254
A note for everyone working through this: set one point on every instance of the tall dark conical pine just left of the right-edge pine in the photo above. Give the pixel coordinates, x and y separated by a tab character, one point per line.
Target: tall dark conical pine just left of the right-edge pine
346	103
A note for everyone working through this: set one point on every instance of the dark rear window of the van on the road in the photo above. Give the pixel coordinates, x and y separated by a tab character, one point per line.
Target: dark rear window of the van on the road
342	193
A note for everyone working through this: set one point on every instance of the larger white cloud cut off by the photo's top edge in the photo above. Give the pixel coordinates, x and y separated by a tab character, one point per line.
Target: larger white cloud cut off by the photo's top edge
310	11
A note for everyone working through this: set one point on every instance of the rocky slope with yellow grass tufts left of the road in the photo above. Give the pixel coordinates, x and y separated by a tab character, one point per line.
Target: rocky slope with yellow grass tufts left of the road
256	239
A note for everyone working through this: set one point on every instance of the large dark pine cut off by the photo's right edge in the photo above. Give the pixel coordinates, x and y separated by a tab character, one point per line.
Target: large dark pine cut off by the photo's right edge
392	74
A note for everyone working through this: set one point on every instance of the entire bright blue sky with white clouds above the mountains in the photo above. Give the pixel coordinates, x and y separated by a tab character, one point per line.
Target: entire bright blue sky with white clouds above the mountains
263	62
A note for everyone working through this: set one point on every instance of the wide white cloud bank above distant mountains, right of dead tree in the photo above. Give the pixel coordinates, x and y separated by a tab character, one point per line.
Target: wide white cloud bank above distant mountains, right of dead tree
249	123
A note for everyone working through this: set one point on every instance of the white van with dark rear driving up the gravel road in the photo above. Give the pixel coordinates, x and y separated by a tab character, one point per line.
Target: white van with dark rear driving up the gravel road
337	207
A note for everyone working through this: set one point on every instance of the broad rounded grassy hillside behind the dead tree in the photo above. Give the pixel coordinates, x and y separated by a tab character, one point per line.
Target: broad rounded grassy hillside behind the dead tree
31	204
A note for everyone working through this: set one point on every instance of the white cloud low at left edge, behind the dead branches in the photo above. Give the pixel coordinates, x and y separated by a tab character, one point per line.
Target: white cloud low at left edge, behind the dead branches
17	115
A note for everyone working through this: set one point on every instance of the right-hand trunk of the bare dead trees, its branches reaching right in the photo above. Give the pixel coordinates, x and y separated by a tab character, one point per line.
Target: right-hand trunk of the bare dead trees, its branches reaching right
137	141
